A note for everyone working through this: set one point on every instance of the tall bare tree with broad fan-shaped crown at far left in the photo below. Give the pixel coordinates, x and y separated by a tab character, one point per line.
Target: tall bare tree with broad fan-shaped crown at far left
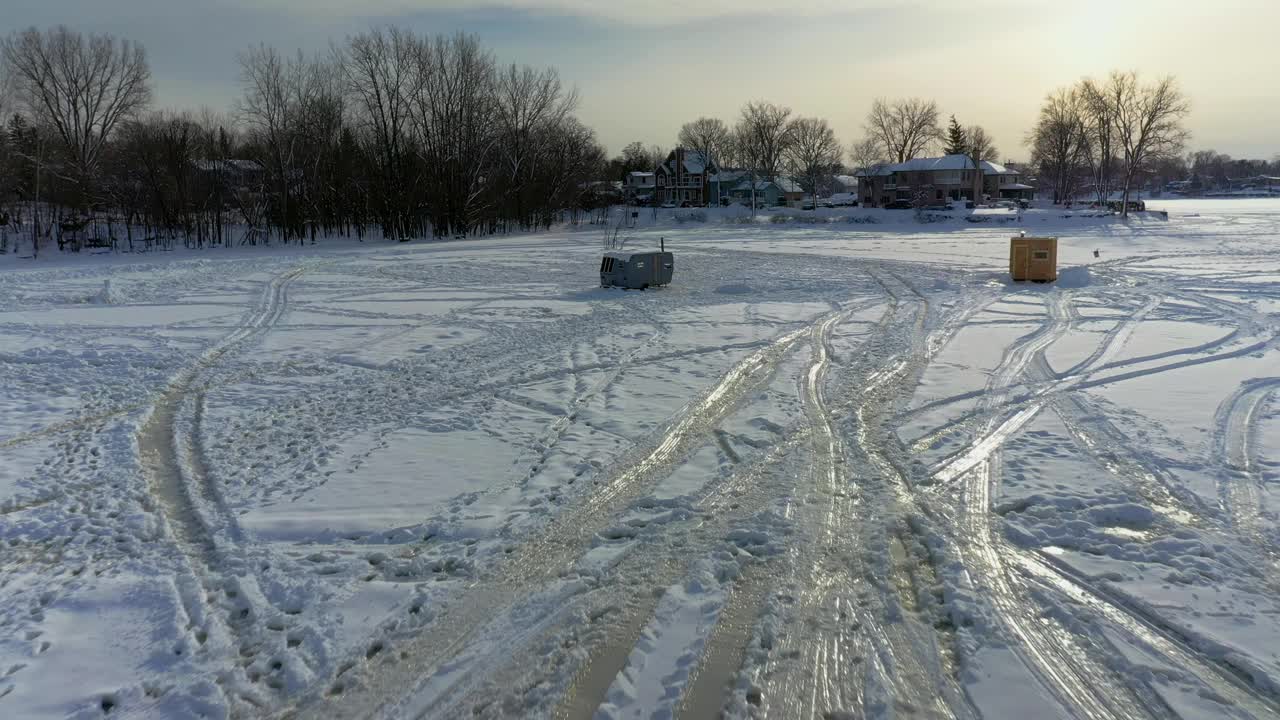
81	86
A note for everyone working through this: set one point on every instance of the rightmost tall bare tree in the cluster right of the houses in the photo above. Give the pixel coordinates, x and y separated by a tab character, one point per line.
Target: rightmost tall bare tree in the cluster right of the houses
1149	124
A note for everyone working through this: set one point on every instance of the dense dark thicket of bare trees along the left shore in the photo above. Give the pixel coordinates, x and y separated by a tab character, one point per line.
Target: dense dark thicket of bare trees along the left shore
410	134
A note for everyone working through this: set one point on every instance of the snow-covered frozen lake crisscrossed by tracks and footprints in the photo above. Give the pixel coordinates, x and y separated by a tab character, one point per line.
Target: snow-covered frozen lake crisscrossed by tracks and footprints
835	468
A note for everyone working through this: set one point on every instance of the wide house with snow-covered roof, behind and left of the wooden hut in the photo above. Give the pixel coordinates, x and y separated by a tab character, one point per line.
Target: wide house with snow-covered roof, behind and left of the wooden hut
950	177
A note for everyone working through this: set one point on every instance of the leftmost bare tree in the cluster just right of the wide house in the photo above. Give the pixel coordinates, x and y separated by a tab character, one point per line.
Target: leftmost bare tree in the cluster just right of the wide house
1060	143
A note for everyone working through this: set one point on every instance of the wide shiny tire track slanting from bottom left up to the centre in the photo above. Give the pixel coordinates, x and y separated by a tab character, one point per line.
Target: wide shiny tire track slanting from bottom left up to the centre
431	654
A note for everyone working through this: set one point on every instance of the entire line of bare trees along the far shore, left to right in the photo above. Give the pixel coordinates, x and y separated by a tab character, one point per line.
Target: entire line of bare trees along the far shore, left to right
420	136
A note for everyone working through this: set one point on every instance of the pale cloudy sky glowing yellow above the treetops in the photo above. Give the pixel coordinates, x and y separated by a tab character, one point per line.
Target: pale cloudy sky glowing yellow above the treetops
646	67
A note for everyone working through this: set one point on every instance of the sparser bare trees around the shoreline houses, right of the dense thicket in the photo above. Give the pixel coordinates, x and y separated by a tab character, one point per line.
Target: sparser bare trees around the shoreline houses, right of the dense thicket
1095	138
